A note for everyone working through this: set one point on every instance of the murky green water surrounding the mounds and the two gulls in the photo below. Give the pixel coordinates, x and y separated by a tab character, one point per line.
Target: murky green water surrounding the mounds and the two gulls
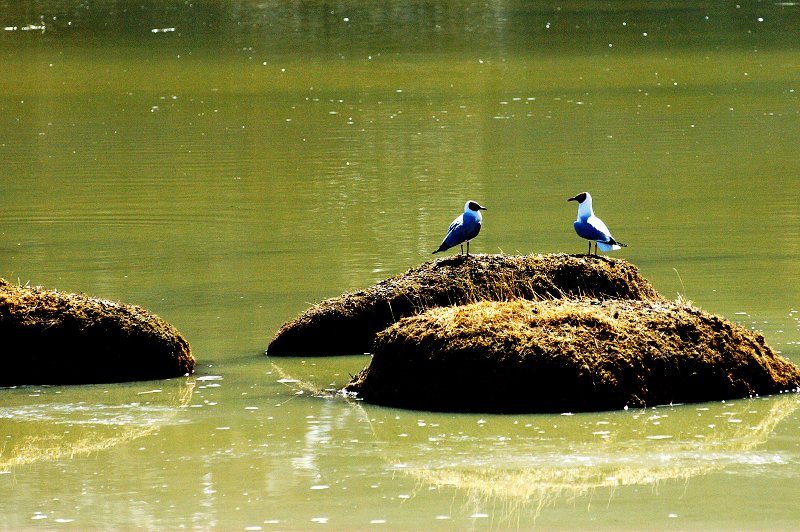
225	166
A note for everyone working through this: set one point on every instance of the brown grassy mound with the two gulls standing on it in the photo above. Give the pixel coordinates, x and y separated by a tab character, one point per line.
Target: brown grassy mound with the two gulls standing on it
347	324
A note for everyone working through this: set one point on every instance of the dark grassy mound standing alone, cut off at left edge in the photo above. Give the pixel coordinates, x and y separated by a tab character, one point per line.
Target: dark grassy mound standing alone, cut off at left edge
50	337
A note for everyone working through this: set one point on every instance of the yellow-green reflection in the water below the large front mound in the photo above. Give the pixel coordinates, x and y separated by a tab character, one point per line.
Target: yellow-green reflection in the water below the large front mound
644	447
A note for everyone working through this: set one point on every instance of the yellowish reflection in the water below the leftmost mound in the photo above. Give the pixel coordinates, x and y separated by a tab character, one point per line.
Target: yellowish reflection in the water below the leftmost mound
57	424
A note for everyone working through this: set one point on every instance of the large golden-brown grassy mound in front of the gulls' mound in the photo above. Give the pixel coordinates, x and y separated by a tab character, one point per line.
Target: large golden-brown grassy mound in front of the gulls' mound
568	356
